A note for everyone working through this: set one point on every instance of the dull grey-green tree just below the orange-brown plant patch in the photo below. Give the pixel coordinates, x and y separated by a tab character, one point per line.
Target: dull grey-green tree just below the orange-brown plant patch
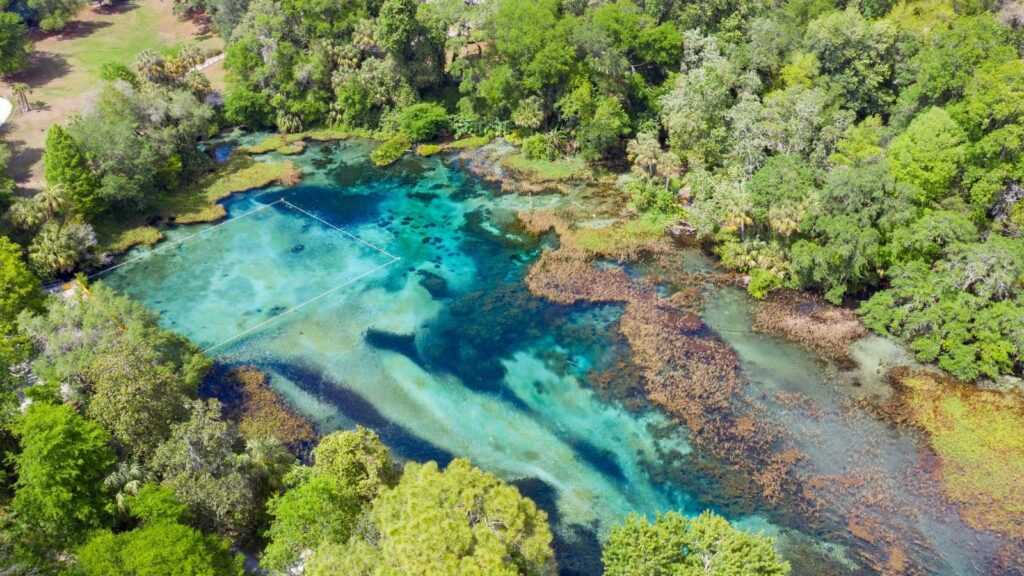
200	463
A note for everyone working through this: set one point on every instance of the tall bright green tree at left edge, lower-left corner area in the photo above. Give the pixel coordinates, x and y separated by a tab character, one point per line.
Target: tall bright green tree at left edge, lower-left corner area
59	495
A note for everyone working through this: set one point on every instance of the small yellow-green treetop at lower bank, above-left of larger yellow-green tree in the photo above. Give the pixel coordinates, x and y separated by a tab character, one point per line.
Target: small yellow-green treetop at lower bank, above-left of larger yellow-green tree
358	460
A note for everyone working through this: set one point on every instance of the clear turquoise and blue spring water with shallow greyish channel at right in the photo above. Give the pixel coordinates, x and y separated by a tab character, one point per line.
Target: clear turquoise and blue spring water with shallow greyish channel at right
396	300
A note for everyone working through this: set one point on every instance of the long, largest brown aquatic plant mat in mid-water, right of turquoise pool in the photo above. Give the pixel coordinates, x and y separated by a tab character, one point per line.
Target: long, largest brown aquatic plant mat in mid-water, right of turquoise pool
692	375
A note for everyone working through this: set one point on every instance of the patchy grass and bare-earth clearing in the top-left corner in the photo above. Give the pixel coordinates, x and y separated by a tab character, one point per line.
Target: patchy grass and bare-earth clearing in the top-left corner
65	69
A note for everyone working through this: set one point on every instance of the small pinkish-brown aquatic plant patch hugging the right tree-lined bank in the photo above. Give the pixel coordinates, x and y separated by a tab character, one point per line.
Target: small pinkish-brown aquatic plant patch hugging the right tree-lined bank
809	321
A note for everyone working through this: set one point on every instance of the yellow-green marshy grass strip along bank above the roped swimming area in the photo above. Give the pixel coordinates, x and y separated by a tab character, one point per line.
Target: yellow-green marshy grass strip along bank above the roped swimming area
197	204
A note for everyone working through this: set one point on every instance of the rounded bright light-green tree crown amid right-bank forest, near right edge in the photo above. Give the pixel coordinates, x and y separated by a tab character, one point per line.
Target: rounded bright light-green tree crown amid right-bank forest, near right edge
929	155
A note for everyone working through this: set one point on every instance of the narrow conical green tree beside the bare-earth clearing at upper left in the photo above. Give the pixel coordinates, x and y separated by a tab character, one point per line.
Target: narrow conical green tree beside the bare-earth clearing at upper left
67	167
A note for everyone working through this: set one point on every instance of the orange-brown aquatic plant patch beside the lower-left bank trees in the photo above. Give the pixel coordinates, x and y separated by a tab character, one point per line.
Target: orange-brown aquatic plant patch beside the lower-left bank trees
260	412
